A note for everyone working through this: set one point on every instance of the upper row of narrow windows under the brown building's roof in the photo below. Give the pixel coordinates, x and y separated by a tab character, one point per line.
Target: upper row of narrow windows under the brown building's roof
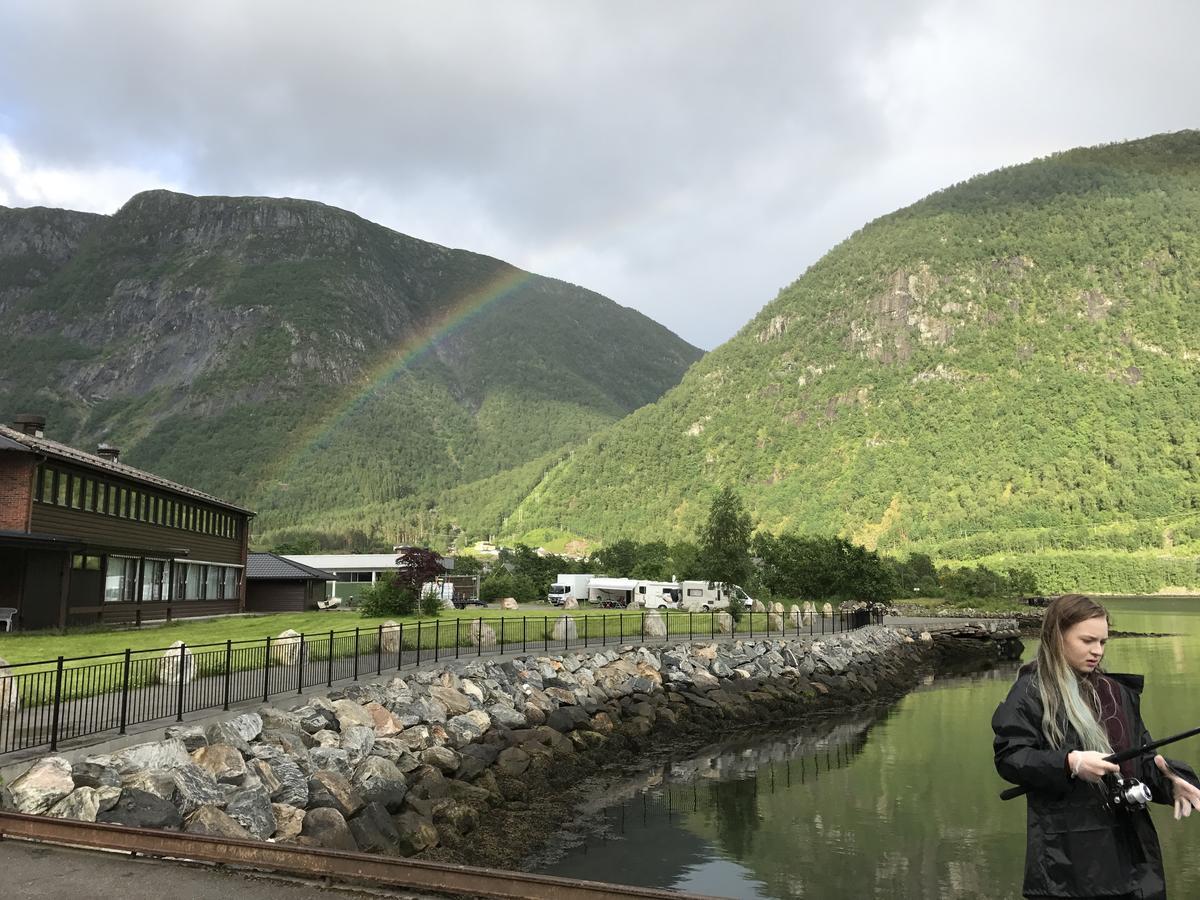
59	488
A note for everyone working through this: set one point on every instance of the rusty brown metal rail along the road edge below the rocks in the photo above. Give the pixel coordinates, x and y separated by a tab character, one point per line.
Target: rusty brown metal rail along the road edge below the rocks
314	863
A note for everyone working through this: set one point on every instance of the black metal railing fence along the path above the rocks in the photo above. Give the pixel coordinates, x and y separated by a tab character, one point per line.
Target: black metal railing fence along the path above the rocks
53	701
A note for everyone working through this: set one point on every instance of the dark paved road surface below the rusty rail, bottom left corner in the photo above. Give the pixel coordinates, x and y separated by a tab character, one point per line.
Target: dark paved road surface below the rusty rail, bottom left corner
37	872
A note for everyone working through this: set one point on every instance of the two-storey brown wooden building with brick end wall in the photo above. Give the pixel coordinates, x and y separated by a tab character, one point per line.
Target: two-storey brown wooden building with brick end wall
88	539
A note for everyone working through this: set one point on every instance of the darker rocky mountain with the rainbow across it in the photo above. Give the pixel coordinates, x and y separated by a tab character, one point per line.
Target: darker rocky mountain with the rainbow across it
332	374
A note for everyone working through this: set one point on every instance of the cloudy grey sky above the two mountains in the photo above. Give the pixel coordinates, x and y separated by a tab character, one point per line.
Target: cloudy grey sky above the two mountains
685	158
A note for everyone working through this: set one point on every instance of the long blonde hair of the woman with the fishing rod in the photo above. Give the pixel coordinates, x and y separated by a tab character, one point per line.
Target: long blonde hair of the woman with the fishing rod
1066	697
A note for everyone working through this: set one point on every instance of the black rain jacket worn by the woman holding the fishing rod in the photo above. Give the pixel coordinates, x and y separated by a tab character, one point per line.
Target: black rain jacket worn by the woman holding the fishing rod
1077	848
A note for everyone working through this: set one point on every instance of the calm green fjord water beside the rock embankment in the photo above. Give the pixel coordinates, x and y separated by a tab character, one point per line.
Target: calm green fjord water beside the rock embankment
899	802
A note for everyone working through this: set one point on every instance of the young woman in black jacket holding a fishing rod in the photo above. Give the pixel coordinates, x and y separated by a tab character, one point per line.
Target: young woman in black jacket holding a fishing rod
1053	733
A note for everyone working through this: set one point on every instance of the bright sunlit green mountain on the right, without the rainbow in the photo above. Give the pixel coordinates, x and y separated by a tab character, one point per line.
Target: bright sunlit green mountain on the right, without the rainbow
1006	371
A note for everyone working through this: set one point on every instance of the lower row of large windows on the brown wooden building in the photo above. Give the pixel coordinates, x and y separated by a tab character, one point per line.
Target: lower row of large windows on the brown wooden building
131	579
